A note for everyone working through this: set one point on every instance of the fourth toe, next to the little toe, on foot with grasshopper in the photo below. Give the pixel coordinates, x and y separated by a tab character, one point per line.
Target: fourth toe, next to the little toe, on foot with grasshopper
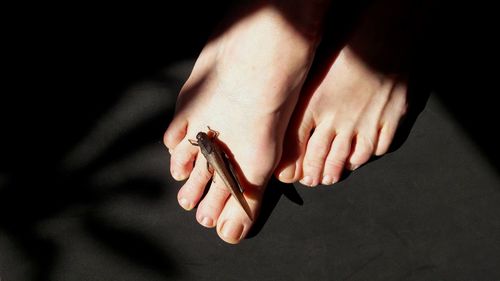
181	161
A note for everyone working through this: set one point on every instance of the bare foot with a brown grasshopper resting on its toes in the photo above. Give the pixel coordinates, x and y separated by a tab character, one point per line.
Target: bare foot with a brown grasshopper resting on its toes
244	85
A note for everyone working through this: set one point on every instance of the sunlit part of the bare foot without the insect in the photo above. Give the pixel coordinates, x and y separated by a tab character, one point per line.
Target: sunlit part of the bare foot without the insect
351	116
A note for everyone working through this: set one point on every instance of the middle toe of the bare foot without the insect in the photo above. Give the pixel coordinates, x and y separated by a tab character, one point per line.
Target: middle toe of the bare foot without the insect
336	159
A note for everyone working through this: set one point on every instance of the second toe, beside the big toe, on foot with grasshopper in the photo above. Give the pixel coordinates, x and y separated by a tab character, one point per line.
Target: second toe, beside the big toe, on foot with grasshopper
211	206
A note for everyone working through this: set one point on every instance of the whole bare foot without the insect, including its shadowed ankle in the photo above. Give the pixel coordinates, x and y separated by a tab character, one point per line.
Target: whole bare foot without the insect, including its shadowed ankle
352	113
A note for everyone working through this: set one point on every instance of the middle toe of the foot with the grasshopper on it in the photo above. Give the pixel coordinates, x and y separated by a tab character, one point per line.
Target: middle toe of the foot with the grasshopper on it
190	193
